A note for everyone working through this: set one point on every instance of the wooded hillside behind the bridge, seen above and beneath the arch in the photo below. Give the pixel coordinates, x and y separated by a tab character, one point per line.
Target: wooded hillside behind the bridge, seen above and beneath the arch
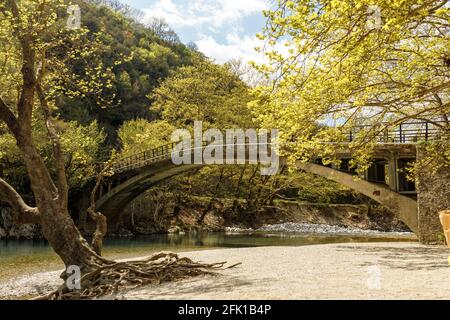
122	85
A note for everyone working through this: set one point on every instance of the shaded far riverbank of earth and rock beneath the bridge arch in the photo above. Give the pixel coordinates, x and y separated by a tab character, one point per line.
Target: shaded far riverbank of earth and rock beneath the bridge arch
226	213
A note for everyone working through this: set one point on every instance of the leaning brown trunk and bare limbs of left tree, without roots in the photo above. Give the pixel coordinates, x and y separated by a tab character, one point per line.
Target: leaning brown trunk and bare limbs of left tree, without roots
50	196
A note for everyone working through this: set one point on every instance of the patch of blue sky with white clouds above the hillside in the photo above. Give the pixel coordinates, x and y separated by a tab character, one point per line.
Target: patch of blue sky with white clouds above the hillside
222	29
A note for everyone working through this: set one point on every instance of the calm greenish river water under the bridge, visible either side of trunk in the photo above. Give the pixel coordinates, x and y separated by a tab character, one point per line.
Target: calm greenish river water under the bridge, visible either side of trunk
26	257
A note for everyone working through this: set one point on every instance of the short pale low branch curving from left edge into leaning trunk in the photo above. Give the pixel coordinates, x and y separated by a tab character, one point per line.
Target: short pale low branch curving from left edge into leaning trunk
25	213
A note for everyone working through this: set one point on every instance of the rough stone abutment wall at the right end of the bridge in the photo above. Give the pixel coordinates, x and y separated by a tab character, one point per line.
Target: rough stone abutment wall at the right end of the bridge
433	197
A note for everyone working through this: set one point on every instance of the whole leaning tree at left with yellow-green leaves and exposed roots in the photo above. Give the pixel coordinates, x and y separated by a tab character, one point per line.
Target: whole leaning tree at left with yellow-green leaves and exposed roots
37	56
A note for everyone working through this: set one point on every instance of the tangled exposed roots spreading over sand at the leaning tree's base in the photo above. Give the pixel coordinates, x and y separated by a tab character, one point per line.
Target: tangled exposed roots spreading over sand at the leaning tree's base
159	268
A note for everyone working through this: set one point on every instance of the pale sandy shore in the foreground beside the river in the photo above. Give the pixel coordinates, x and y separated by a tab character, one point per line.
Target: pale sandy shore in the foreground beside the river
338	271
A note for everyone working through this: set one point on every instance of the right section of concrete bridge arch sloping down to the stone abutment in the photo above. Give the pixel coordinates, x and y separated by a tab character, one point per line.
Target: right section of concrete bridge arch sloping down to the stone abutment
405	207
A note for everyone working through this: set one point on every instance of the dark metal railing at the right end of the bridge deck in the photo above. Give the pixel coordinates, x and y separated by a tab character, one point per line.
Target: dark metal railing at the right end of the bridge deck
407	132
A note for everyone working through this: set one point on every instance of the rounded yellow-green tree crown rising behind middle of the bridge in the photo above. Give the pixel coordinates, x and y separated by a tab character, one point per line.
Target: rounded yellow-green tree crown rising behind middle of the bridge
203	92
